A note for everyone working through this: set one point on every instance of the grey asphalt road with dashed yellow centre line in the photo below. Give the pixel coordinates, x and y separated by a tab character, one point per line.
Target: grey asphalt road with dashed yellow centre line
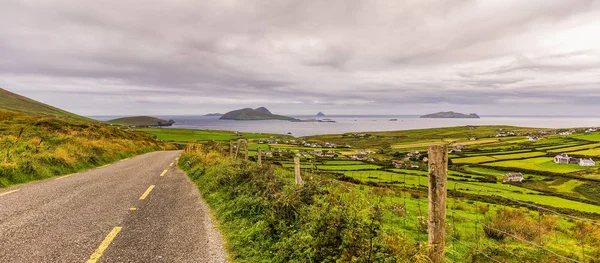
123	212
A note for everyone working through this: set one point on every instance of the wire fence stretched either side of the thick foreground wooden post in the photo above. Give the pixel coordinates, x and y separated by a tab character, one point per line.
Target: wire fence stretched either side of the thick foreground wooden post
505	230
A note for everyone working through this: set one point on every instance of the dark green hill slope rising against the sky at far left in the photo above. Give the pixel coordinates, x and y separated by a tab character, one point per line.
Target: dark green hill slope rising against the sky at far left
12	102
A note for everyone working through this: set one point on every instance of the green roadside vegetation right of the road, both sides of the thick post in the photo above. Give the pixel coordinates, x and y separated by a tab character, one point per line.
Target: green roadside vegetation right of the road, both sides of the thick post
379	215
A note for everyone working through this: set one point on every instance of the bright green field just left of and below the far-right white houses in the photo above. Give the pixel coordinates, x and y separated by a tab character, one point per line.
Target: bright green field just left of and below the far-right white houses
545	164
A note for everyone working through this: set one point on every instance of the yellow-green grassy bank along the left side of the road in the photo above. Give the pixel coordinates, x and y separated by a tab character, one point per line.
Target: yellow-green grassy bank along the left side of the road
35	147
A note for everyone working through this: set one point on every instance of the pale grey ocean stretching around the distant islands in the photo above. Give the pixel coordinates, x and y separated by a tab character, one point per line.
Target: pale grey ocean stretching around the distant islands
345	123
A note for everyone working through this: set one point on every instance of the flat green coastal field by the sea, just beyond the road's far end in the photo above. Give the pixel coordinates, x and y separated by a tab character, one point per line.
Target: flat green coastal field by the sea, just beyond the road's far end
190	135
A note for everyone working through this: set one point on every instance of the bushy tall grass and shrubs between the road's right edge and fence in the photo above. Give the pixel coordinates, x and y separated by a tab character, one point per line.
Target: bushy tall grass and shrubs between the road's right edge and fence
266	218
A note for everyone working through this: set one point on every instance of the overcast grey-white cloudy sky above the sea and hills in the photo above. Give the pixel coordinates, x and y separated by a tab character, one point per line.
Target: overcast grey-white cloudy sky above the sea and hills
120	57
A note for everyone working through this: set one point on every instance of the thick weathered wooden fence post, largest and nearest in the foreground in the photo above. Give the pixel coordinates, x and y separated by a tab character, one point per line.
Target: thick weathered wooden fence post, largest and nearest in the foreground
438	173
